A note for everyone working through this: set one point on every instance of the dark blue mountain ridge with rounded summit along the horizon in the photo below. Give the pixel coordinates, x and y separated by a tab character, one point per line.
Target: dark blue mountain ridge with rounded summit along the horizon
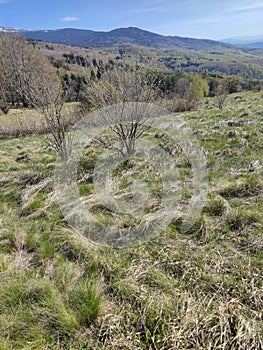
119	37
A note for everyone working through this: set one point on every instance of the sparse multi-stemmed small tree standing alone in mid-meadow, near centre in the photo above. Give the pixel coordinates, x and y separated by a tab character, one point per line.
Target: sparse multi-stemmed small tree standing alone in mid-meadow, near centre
119	87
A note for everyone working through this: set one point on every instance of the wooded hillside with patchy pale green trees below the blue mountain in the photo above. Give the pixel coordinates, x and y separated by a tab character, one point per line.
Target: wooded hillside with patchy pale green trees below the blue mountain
245	64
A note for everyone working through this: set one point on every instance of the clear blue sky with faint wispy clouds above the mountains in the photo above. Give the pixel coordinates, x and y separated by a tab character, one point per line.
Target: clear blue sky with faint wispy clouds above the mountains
214	19
